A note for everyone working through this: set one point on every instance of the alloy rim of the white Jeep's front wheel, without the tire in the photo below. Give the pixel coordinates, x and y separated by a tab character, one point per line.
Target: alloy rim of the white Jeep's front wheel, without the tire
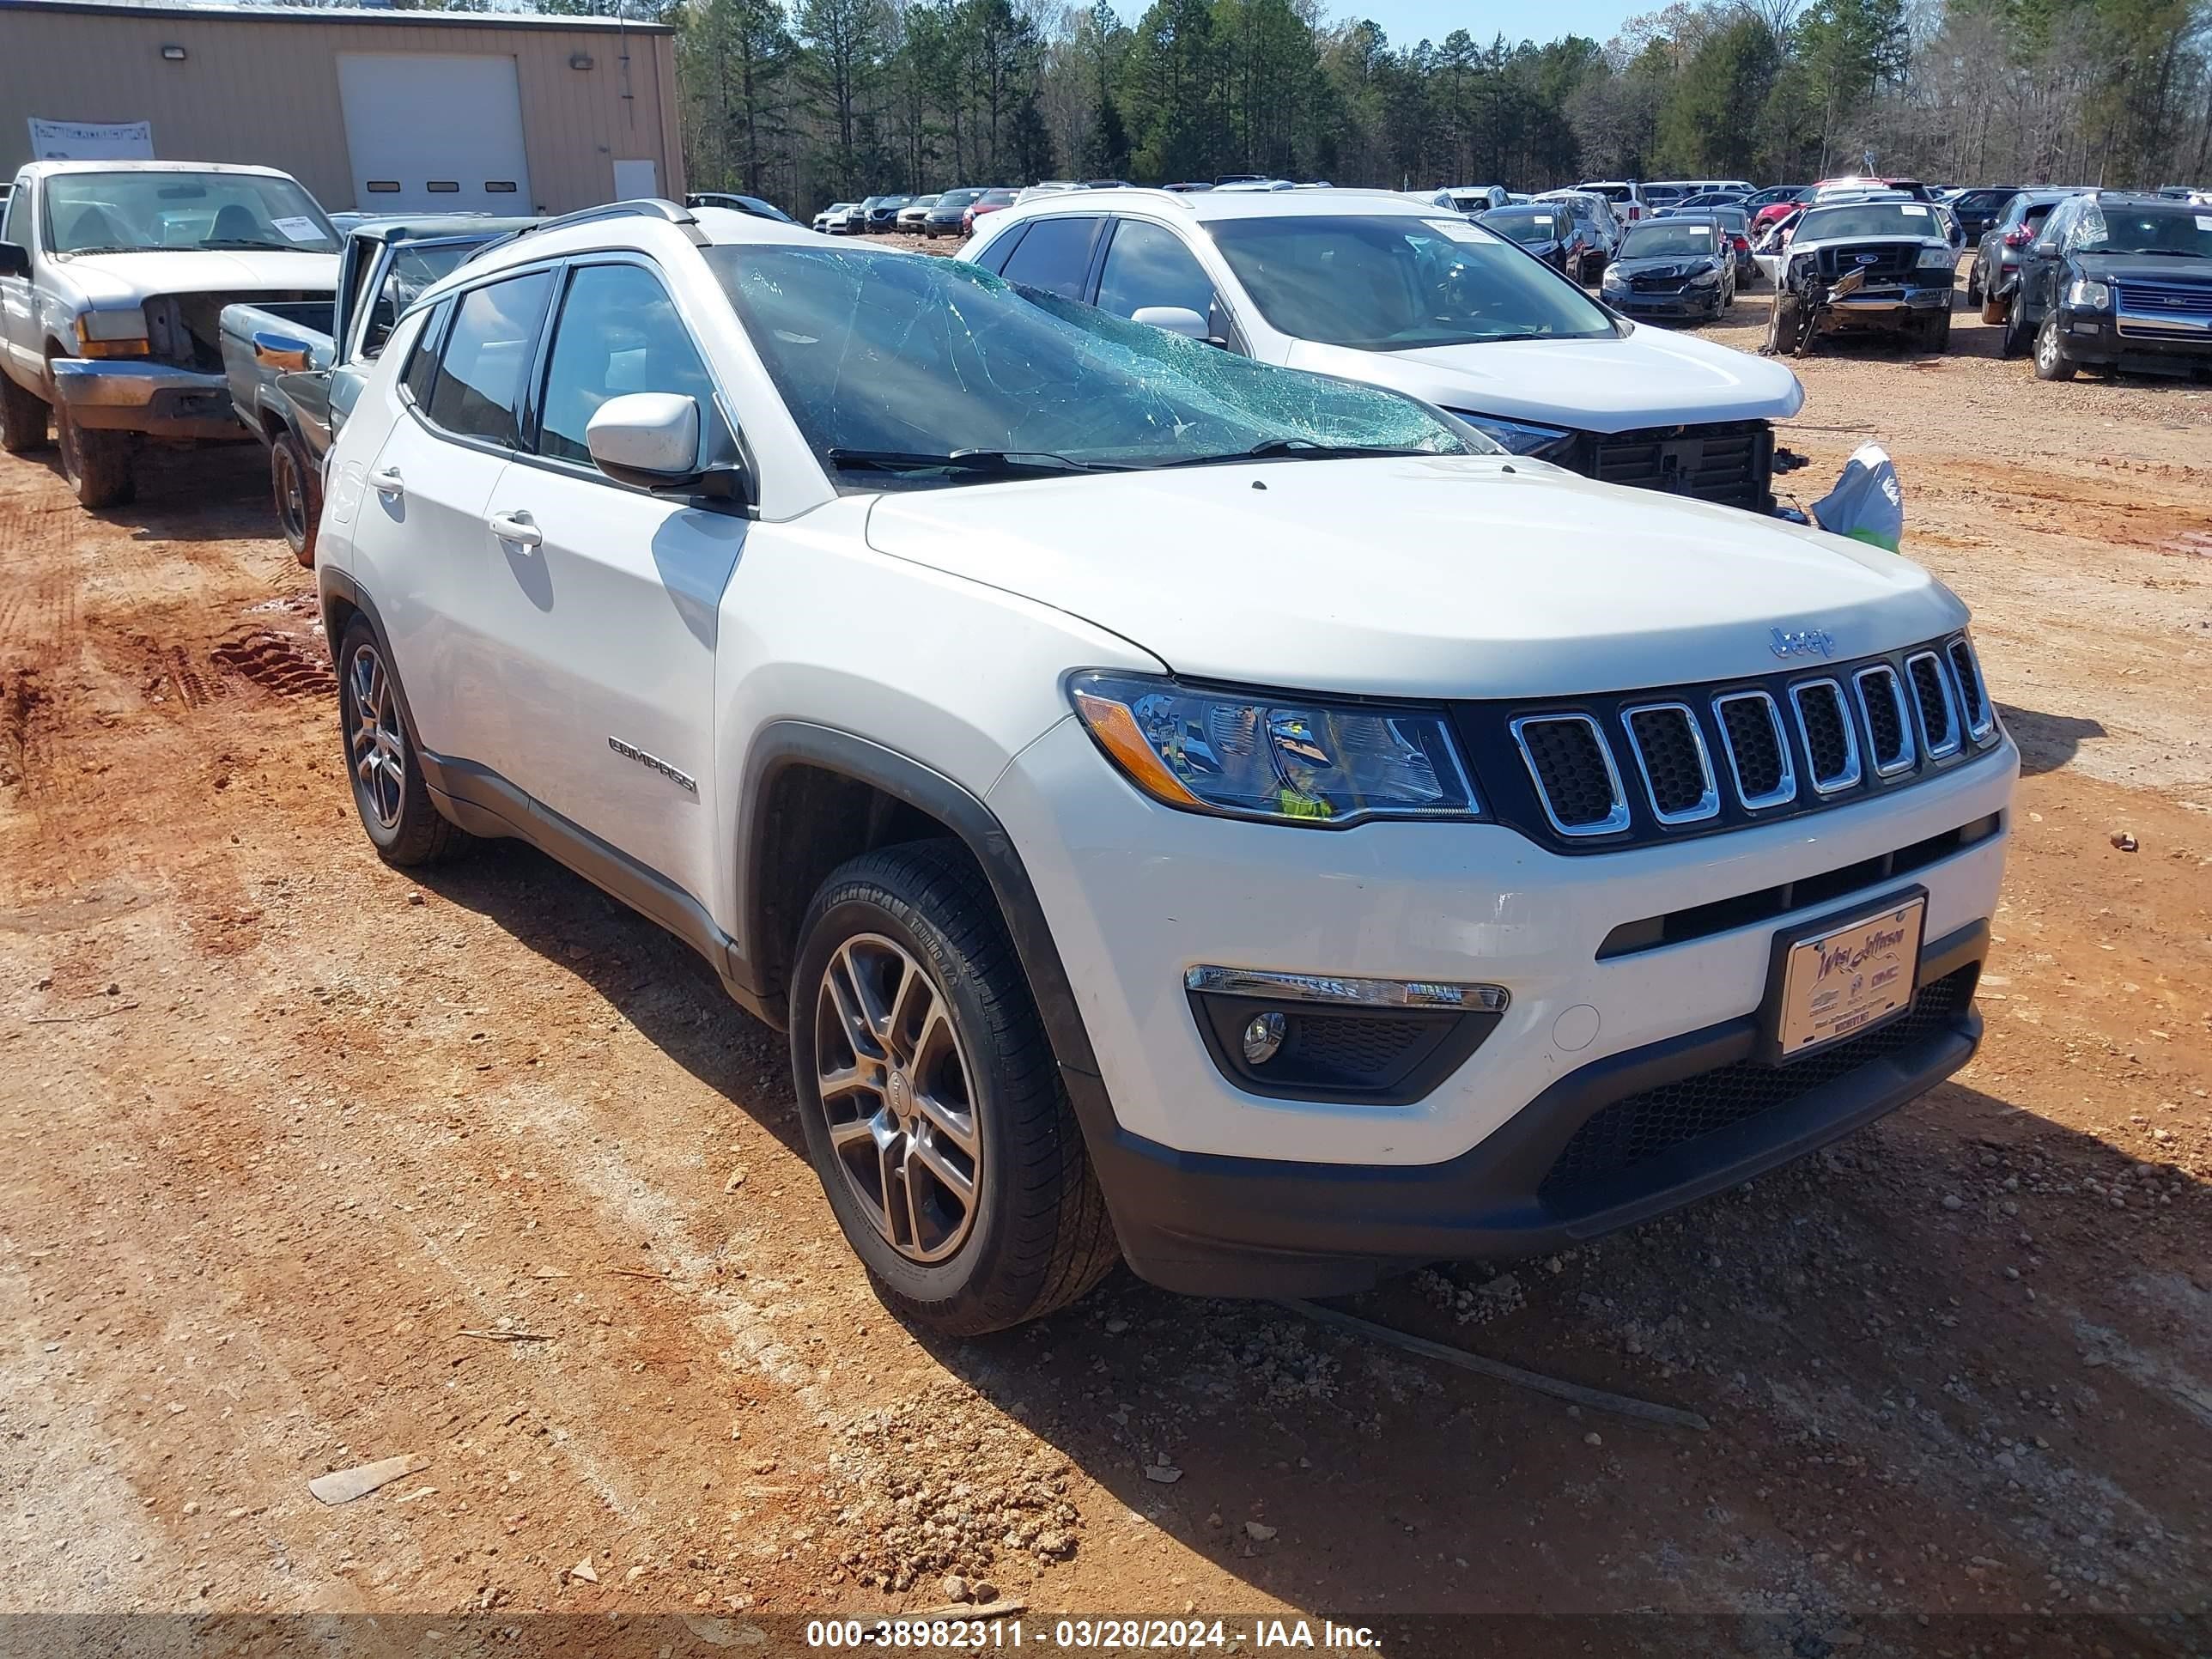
897	1096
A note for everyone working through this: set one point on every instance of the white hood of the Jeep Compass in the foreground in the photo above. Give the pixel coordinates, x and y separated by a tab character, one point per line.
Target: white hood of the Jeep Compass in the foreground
1454	576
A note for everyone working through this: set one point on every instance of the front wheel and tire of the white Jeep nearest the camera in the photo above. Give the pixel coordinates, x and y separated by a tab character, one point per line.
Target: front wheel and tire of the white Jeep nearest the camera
893	941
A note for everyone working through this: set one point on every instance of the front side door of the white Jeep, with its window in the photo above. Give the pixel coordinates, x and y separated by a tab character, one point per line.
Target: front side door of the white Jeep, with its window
609	596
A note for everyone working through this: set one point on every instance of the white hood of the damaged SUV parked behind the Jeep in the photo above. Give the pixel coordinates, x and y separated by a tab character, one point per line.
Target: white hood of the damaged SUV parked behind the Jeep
1640	379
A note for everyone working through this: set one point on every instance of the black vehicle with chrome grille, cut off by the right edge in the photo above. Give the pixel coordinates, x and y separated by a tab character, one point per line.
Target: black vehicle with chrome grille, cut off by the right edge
2116	282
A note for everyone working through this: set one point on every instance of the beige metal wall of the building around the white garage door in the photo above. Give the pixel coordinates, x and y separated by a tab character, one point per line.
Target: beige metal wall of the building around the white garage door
264	90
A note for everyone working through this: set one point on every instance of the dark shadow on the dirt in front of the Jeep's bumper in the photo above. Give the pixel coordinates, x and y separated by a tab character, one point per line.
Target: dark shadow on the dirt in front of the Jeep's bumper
1844	1331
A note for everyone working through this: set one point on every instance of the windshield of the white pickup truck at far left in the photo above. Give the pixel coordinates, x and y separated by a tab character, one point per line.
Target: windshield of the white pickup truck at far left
158	209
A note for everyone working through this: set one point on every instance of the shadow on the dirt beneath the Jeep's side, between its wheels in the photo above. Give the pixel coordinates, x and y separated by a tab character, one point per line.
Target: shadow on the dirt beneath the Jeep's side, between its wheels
647	974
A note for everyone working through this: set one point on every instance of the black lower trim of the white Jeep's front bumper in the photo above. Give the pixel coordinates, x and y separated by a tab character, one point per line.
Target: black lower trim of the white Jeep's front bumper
1235	1227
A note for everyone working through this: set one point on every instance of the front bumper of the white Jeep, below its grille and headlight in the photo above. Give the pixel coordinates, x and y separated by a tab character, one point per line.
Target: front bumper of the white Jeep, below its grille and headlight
1136	895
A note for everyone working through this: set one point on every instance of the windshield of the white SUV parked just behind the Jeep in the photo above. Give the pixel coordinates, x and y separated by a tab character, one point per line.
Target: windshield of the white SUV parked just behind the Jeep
1397	284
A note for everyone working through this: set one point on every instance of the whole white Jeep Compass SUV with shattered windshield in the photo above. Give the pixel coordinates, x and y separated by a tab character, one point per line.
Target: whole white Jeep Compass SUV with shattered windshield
1182	808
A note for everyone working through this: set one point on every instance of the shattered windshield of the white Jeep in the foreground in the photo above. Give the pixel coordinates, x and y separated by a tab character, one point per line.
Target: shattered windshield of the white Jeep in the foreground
908	371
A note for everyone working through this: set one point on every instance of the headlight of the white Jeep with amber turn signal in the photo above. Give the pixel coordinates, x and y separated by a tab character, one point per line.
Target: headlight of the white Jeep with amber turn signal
1277	758
